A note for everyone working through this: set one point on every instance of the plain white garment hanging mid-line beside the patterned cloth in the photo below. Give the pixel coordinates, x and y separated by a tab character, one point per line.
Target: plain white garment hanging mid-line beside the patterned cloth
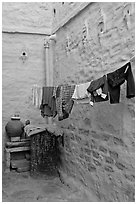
80	91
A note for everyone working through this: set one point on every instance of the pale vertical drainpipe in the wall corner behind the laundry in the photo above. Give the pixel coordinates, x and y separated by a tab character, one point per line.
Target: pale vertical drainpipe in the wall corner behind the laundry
49	46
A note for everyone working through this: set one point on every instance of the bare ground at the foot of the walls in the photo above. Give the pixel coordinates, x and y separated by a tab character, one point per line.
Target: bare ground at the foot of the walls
21	187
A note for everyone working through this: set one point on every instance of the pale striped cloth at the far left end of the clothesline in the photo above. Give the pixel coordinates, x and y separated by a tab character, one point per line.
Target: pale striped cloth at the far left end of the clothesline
36	95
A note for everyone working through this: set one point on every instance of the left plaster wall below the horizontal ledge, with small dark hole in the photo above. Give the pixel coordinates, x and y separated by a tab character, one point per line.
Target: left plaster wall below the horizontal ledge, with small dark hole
18	77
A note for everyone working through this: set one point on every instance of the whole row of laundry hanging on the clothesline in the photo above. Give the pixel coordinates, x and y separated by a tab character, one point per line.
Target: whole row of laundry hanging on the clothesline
61	102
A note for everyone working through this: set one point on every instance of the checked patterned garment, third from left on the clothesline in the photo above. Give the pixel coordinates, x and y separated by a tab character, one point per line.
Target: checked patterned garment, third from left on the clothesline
64	102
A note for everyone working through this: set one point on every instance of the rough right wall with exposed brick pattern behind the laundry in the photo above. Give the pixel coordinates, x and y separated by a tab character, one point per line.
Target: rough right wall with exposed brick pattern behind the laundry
99	142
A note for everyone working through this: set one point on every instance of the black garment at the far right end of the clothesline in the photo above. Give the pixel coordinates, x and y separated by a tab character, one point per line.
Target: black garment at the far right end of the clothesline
116	79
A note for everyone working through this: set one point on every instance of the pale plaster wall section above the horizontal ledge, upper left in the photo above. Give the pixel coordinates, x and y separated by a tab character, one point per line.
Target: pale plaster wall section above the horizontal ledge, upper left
27	17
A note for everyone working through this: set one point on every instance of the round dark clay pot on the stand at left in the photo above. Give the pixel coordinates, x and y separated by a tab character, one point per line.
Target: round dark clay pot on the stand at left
14	128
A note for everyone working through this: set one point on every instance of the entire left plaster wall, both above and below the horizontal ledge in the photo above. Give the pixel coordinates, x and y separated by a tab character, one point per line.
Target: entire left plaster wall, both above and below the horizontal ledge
19	20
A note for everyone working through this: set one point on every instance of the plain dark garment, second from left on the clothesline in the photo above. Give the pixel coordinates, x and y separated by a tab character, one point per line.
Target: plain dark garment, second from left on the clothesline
48	104
